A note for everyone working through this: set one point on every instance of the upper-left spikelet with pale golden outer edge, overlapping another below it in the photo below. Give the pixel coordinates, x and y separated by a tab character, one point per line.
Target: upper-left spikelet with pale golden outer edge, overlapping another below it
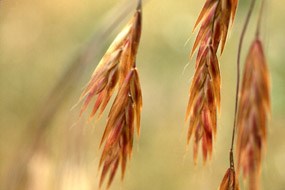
113	67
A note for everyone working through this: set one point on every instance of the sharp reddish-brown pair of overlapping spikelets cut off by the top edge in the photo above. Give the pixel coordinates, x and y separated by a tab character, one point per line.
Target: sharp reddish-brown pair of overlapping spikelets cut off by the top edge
204	99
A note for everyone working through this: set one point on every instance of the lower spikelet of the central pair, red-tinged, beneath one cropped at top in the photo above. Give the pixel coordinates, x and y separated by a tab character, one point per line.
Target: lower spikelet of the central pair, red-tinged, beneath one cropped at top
203	103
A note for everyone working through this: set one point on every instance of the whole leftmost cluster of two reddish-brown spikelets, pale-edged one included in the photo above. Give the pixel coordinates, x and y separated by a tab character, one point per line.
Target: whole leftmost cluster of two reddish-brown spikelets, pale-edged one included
117	68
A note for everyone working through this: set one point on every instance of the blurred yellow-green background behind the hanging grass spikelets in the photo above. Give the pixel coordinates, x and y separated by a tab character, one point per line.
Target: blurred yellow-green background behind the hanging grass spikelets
49	49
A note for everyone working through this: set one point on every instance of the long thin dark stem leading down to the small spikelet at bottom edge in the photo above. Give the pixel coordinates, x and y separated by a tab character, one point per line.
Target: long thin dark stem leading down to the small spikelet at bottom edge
238	78
